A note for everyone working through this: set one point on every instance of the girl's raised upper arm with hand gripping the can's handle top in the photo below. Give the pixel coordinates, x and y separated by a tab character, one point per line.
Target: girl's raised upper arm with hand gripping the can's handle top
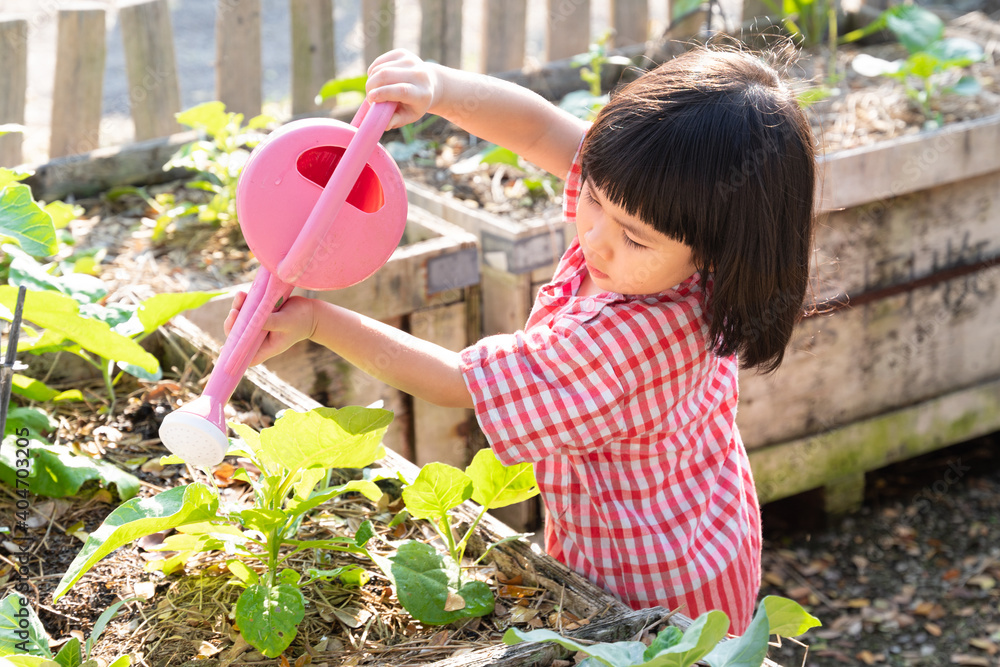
487	107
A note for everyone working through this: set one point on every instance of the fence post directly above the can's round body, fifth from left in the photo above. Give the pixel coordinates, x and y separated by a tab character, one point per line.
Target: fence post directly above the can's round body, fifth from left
313	58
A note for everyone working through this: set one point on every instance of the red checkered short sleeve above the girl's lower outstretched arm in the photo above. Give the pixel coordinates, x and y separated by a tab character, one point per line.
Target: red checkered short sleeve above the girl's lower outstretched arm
543	390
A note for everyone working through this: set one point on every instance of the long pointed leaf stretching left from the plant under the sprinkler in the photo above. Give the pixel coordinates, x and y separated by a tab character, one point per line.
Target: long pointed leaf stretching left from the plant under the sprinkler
140	517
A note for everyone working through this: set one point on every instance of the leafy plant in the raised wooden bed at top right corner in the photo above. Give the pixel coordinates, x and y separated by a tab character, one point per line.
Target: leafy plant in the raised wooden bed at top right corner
930	70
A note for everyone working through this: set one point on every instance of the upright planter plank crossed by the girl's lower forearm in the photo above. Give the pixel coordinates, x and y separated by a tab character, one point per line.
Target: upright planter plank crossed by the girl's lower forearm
441	434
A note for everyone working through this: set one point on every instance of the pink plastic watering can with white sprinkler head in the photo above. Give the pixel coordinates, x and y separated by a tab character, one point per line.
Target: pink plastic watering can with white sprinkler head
322	206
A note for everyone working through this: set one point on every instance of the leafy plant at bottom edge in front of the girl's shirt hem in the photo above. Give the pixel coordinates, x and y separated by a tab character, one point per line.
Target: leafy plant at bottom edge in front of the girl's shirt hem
702	641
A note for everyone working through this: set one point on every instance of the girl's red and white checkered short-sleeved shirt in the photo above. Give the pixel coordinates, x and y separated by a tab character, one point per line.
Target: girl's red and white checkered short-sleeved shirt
629	419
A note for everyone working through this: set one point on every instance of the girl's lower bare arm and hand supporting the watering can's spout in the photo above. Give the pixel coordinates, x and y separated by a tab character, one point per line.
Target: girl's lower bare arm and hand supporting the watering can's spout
420	368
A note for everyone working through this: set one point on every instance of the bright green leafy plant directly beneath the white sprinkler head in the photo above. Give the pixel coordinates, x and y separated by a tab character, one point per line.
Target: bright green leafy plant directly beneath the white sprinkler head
293	456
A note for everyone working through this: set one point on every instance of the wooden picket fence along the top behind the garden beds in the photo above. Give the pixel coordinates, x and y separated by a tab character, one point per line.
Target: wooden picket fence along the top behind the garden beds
151	63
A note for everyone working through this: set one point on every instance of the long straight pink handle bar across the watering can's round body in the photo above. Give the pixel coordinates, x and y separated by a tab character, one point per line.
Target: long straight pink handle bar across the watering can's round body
371	123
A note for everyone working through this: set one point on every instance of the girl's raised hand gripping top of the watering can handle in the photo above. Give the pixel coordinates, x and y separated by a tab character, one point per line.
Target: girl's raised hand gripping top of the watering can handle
401	76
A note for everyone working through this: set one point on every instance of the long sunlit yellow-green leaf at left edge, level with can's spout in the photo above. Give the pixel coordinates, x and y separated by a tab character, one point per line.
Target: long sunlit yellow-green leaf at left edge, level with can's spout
59	313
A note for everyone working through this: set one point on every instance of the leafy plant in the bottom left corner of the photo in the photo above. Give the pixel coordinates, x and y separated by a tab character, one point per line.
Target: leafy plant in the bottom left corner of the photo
25	643
